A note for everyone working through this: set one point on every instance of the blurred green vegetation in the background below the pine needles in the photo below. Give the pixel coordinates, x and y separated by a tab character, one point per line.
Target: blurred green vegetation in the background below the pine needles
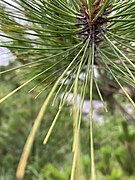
114	138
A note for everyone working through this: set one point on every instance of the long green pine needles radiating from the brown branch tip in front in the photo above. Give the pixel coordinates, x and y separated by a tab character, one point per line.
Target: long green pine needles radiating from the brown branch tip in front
62	45
